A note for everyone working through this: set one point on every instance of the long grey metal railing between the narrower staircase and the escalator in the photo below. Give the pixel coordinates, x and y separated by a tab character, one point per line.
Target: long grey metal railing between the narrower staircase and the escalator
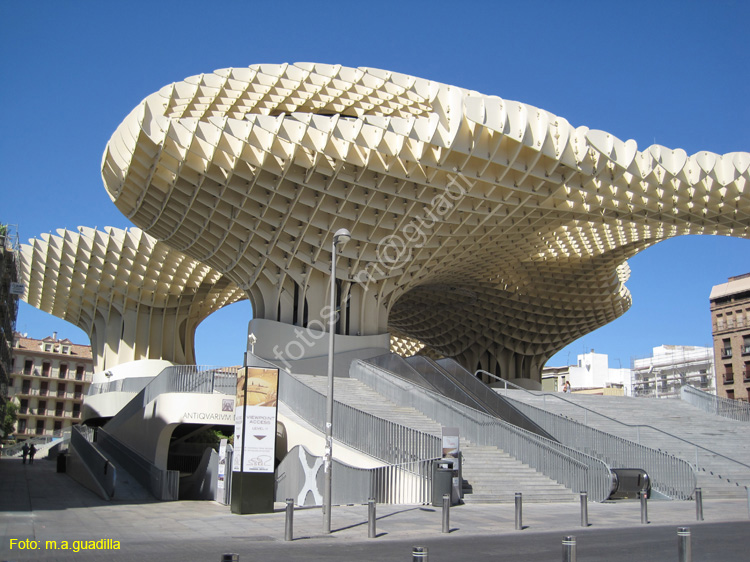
567	466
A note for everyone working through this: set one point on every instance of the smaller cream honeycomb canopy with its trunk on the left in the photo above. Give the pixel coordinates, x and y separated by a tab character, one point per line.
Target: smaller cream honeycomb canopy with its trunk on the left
135	297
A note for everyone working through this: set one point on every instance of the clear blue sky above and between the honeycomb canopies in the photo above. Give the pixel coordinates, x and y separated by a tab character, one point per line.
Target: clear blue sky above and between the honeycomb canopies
672	73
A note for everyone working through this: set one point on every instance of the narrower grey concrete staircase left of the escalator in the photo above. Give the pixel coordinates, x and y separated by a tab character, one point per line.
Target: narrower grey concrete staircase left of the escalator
490	475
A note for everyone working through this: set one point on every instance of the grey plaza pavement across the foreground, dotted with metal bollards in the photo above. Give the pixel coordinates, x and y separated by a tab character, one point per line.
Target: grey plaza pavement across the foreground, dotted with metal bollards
40	504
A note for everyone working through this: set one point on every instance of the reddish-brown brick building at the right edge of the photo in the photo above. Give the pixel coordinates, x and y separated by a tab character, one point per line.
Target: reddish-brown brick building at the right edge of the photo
730	318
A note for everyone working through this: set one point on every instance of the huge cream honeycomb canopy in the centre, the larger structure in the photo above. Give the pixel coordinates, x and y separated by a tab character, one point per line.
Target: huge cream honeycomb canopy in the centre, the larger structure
493	231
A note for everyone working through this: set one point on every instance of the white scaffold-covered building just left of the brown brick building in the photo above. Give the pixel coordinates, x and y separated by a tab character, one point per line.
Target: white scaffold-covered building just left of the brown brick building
672	366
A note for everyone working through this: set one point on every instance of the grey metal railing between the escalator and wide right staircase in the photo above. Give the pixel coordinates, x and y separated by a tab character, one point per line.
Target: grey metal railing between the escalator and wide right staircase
670	475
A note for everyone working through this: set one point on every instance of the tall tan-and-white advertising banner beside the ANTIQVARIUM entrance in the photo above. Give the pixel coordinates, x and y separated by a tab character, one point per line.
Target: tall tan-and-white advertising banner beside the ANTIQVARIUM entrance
255	420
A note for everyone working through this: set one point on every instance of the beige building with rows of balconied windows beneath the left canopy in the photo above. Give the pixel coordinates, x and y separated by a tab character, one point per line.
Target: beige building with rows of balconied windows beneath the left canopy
49	378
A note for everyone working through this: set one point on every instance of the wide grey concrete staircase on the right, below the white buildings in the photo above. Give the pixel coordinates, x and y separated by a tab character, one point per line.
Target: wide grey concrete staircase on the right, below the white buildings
673	420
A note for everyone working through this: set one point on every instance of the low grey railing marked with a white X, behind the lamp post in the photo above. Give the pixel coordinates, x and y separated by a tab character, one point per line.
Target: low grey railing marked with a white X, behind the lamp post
408	483
